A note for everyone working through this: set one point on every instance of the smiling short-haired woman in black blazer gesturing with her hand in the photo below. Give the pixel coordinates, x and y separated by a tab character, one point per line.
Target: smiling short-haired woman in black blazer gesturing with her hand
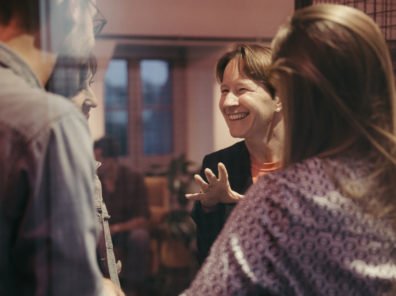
252	112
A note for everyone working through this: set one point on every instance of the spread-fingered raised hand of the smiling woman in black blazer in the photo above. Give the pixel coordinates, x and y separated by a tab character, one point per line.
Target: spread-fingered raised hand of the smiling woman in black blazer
216	190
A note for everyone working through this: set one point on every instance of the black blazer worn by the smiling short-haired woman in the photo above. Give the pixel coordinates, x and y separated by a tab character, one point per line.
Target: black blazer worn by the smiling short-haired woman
237	162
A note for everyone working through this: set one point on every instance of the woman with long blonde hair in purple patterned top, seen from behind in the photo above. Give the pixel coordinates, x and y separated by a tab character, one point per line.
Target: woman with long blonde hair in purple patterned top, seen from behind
325	224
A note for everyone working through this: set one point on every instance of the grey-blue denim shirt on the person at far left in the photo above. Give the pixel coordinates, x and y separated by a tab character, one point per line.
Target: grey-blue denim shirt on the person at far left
48	230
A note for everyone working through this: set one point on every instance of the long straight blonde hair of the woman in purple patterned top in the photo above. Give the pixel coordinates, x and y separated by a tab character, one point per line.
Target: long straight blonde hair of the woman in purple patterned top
335	71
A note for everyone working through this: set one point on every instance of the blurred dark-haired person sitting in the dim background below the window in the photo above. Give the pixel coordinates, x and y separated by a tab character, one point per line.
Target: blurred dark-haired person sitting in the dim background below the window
125	195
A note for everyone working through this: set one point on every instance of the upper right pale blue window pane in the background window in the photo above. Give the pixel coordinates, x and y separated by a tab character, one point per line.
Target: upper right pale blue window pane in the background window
156	84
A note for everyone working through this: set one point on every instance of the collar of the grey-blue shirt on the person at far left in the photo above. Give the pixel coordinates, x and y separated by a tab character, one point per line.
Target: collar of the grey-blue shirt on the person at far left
10	59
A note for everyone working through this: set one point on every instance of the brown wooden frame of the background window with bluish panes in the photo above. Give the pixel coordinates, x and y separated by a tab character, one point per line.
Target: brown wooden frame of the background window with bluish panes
133	54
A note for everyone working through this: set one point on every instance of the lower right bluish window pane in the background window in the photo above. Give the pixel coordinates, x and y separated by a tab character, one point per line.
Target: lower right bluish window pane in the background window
157	132
